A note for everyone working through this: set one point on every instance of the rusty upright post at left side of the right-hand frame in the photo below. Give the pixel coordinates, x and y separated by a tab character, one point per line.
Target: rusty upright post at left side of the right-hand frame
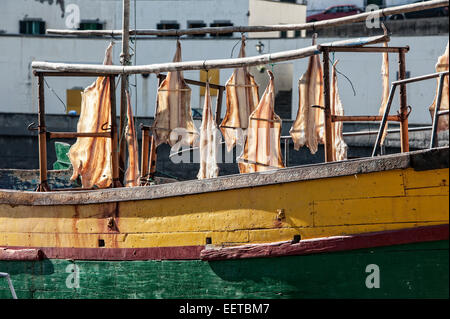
327	110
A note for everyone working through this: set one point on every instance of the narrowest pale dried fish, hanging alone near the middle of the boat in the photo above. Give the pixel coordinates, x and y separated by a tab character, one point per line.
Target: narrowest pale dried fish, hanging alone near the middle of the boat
208	141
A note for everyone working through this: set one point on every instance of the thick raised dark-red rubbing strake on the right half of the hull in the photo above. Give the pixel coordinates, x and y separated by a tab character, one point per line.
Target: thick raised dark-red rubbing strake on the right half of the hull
330	244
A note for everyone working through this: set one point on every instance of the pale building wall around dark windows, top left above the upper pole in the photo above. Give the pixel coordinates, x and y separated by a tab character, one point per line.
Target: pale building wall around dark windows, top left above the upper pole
148	12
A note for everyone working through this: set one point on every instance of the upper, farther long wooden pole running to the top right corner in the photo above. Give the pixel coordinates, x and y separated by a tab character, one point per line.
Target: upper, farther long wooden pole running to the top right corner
268	28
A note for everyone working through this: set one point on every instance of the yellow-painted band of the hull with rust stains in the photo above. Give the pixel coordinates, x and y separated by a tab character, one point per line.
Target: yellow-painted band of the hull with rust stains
335	206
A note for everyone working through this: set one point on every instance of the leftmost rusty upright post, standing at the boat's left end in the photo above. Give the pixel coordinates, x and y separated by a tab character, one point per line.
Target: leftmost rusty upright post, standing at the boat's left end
43	183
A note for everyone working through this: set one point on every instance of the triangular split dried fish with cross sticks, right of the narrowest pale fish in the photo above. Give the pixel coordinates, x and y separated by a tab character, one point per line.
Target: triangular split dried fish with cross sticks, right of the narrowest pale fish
262	150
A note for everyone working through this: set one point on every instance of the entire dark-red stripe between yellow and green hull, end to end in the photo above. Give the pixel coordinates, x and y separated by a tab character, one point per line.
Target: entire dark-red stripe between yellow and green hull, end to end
304	247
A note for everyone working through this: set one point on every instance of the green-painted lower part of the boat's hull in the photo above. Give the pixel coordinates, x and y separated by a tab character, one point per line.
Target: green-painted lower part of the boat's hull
405	271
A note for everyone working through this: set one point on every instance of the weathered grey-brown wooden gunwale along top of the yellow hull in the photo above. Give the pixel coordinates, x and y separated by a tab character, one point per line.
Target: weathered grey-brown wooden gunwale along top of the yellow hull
420	160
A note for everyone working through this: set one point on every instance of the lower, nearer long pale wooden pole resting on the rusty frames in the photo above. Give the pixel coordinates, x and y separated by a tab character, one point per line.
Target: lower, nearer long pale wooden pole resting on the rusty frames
204	64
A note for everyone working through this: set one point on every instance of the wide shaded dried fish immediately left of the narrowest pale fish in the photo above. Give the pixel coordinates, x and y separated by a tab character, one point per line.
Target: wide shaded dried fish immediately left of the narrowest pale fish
173	118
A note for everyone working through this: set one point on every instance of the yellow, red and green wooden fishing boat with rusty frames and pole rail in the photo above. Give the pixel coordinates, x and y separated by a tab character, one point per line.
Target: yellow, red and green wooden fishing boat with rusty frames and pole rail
374	227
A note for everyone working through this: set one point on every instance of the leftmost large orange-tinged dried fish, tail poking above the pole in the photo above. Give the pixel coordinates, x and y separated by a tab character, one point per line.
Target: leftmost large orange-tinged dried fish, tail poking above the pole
91	157
